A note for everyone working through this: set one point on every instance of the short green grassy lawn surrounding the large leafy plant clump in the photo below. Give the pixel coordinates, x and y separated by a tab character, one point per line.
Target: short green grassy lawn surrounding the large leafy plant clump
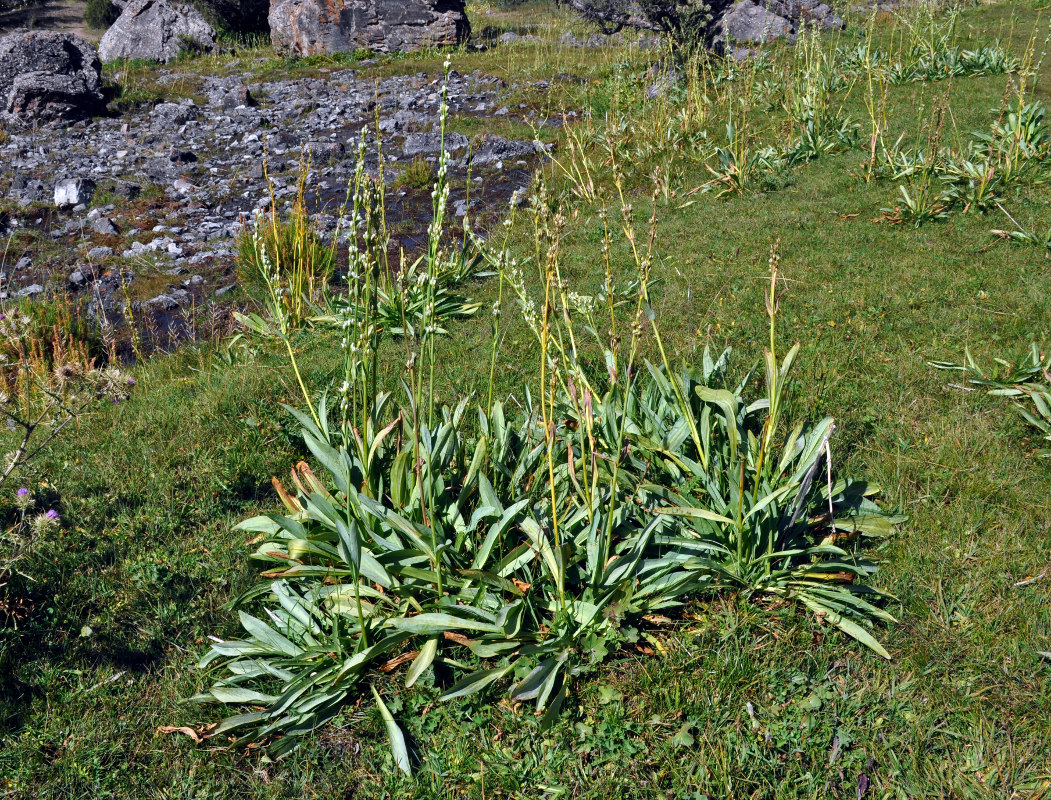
733	700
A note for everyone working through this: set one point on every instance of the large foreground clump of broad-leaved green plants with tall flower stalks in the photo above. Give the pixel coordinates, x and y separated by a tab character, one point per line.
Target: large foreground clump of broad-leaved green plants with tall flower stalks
532	550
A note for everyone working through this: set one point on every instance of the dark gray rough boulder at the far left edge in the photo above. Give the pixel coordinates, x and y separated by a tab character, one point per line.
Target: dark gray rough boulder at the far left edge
48	77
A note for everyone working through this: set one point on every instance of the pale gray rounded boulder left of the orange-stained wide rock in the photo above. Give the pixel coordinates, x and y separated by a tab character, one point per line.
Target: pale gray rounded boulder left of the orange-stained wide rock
156	31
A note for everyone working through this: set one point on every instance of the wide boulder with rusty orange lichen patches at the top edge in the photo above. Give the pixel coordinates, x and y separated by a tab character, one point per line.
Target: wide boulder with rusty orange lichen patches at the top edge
312	28
